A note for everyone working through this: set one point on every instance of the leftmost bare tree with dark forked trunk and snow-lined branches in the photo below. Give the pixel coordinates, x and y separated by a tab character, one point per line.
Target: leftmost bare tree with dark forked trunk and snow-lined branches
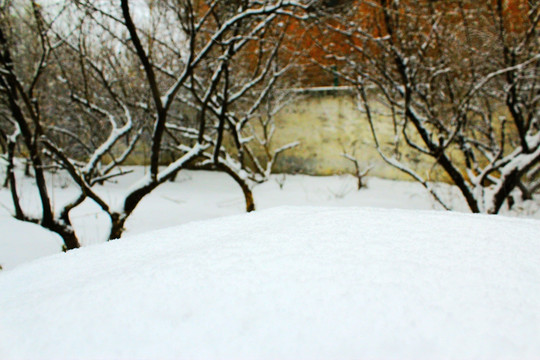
43	111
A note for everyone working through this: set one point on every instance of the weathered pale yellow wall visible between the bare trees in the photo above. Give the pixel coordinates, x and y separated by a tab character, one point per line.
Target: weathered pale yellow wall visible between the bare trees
326	123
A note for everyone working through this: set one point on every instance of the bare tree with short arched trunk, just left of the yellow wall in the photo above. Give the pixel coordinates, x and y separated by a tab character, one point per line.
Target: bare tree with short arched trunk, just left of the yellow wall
244	91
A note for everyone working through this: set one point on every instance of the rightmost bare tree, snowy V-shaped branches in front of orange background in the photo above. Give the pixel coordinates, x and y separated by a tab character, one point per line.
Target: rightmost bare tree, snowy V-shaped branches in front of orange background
460	82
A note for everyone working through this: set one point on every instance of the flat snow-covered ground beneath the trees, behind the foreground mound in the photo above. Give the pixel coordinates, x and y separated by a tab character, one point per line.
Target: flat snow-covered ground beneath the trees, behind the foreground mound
204	195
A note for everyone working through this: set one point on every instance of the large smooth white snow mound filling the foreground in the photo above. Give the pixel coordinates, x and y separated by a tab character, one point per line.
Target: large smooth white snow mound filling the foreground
287	283
